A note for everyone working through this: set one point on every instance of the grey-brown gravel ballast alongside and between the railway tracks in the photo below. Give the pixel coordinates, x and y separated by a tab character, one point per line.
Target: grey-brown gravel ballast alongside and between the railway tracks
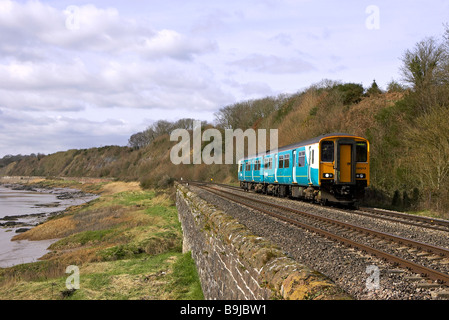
348	268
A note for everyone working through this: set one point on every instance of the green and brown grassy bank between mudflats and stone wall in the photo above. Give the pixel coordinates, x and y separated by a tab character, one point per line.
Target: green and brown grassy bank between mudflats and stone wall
126	245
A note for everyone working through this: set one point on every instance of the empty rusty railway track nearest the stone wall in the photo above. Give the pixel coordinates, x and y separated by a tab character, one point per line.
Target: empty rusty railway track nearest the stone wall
400	251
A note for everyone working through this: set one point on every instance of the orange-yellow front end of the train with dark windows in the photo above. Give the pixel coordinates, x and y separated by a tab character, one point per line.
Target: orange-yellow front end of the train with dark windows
344	168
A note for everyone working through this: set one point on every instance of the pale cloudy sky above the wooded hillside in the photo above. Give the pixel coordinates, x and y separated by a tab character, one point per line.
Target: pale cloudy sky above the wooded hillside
76	74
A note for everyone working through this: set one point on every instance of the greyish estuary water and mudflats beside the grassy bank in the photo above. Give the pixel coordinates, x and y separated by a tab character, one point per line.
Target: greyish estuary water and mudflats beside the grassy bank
22	209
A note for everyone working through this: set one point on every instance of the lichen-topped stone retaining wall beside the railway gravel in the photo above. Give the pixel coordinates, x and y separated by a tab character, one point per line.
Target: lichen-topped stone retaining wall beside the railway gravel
235	264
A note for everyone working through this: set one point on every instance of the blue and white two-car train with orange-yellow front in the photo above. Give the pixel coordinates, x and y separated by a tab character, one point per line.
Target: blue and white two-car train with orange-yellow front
329	168
